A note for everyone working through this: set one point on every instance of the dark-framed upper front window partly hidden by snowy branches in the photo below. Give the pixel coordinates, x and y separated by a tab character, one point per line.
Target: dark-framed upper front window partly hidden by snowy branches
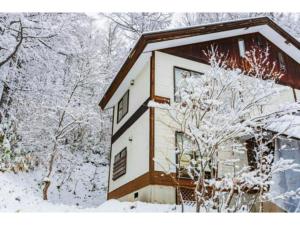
179	75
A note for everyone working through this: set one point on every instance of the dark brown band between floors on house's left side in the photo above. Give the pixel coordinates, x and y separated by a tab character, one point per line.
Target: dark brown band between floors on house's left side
135	116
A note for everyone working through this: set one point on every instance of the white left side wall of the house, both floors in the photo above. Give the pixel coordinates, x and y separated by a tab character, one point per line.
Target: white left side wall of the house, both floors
138	149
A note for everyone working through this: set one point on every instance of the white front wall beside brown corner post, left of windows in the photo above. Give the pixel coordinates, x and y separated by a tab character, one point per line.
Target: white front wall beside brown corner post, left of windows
164	86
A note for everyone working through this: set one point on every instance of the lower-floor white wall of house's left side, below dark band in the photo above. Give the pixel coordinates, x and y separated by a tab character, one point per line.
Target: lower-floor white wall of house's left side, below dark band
137	151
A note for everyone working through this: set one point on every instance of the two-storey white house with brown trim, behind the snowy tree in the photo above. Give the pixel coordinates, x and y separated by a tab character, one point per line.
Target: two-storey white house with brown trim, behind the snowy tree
151	72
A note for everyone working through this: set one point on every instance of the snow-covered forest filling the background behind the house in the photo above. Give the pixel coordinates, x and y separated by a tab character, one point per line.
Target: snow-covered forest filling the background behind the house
54	68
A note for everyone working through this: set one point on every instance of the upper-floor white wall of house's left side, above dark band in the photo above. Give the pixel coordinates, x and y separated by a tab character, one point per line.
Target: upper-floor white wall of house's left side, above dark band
138	94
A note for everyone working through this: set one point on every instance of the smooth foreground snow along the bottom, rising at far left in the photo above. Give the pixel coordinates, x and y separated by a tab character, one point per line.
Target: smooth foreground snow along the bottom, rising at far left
18	193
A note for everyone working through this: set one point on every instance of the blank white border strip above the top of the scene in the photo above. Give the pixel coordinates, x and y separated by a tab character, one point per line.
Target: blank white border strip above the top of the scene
152	5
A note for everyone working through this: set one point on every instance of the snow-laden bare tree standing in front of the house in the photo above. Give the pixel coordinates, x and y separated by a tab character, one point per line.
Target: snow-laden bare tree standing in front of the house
215	115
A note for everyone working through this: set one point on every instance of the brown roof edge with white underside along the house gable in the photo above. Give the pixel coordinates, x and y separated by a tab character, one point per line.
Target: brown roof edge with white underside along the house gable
152	41
